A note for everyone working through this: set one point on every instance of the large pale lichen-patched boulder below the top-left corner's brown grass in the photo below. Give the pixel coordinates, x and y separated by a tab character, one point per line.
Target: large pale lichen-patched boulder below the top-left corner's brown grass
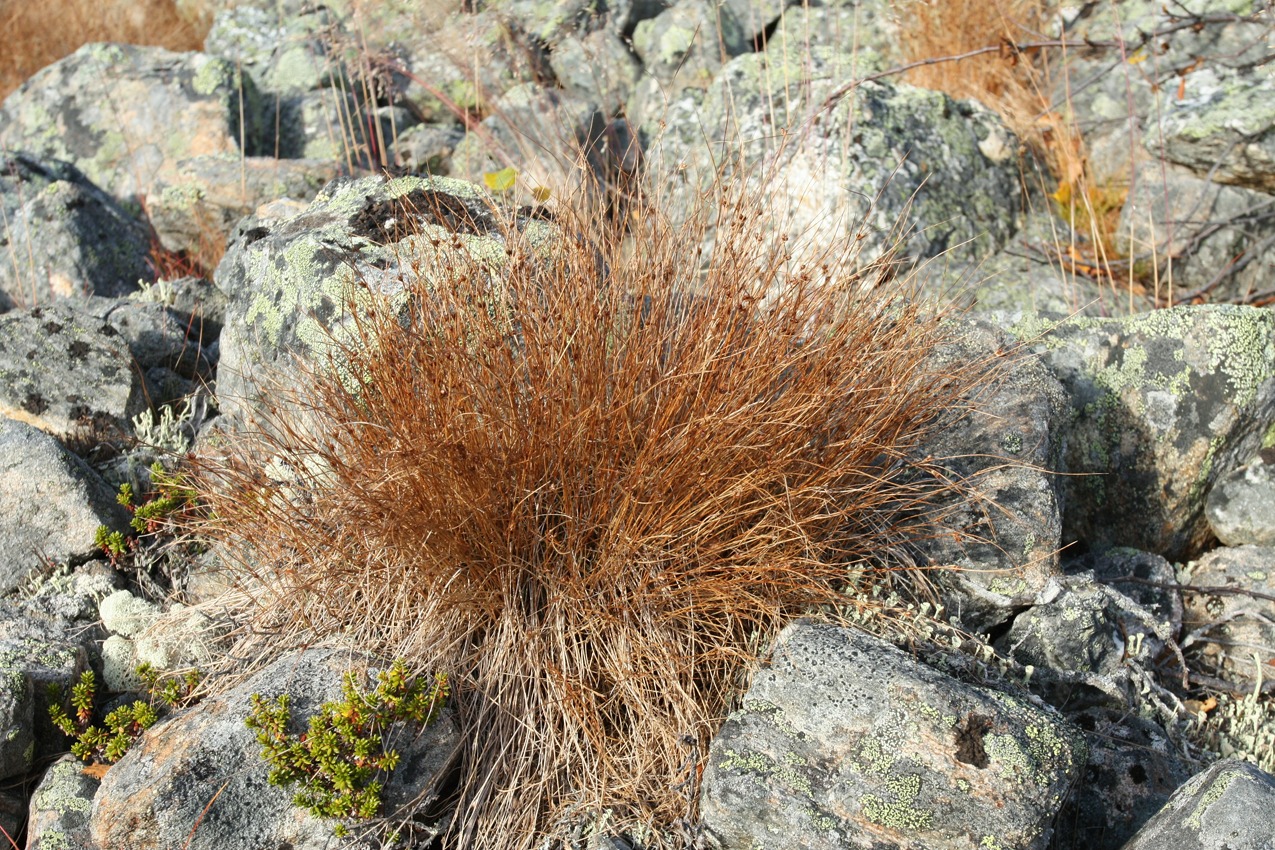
160	110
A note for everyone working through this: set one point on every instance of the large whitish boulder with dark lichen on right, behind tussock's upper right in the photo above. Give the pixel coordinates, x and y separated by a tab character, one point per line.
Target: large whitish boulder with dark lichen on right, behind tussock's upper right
883	156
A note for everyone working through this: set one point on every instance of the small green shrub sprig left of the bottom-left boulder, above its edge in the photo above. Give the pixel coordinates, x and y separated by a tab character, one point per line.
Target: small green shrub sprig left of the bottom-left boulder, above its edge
109	744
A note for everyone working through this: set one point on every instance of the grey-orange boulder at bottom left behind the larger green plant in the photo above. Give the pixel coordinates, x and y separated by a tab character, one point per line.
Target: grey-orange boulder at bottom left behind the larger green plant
166	784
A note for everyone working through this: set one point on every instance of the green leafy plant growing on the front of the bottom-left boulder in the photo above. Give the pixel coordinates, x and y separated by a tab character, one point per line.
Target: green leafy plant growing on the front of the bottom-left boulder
341	760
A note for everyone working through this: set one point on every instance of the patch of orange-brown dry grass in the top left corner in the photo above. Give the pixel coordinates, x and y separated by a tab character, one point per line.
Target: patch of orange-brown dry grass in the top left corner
38	34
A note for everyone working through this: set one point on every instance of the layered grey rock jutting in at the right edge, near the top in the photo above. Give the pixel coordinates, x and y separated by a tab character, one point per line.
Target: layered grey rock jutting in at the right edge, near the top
1226	131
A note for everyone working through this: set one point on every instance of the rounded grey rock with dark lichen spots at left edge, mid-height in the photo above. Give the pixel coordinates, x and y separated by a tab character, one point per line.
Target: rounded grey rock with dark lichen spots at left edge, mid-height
67	371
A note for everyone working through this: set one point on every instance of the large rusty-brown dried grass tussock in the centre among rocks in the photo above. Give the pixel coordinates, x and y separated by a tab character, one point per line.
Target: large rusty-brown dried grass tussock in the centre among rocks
590	482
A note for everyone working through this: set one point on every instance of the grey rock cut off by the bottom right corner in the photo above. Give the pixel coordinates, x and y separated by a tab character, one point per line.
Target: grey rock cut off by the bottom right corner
1226	806
